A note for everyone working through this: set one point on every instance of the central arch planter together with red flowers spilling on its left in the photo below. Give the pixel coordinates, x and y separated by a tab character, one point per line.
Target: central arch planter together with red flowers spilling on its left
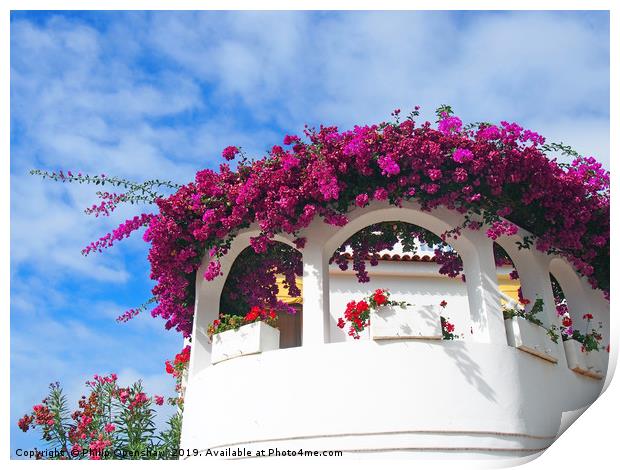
389	319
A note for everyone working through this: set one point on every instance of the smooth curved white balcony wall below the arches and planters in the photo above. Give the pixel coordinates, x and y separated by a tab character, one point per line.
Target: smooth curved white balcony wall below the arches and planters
443	397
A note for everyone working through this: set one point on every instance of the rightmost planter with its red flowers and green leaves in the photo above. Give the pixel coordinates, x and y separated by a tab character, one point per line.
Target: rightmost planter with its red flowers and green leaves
583	351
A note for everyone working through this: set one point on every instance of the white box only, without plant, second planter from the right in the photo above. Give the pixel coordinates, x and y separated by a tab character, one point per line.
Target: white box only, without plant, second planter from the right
531	338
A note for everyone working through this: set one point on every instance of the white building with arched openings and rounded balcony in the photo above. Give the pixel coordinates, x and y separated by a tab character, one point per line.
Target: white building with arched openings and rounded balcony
476	397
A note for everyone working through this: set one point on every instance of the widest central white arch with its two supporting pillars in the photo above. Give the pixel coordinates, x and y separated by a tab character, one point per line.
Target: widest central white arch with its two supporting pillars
474	247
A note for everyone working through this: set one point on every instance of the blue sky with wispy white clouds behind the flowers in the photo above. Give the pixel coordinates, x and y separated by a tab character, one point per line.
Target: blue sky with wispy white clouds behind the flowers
143	95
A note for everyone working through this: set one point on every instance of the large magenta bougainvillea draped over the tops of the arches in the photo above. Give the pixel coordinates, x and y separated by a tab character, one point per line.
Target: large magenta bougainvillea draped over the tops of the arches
499	176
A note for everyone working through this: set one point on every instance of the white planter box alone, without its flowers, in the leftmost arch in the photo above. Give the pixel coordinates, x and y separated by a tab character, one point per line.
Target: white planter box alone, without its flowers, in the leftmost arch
249	339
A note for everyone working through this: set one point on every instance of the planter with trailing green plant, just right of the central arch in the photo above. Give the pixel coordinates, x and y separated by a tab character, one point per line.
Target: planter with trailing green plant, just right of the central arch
526	332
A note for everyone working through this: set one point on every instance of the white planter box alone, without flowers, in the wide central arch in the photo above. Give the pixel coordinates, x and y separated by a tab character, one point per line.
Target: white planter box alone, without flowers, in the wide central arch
414	322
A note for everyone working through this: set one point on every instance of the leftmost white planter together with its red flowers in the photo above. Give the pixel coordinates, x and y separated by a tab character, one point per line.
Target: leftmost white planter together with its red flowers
234	335
